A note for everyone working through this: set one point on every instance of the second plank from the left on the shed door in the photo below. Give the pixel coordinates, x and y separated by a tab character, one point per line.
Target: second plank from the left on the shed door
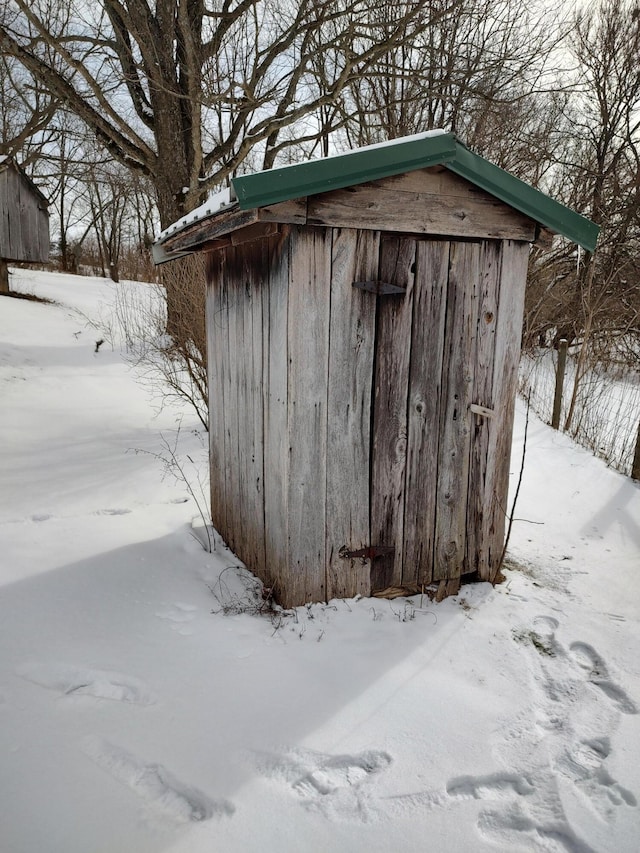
425	394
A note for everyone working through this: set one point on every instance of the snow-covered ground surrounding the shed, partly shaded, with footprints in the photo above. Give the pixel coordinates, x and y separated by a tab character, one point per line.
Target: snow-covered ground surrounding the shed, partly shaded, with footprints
141	710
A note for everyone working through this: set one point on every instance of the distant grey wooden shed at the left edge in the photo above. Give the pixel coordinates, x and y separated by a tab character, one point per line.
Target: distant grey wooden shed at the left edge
24	219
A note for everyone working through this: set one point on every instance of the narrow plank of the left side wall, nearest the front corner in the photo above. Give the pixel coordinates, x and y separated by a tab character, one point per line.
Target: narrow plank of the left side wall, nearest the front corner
276	403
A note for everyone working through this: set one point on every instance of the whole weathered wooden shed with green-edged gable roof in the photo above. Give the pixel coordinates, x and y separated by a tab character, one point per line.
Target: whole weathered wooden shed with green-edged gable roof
364	317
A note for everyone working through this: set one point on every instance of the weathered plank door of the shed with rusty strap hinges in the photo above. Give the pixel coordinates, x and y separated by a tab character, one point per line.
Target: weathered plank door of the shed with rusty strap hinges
433	362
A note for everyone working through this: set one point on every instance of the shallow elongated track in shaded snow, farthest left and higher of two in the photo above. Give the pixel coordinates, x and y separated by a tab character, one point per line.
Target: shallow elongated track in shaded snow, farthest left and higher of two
75	680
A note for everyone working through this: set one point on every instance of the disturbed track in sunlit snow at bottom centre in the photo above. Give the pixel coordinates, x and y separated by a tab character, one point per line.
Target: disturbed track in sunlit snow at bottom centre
336	785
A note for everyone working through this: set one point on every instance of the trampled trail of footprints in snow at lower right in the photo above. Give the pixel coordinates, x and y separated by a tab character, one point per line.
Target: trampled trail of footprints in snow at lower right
546	767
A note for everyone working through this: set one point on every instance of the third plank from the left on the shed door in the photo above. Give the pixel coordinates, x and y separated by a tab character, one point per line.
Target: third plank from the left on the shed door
453	455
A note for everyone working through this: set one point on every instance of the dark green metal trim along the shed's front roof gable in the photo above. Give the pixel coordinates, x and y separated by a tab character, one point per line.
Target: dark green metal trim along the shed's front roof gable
406	155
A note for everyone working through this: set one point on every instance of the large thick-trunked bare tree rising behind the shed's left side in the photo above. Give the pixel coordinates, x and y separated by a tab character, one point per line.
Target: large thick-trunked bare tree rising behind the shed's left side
183	91
